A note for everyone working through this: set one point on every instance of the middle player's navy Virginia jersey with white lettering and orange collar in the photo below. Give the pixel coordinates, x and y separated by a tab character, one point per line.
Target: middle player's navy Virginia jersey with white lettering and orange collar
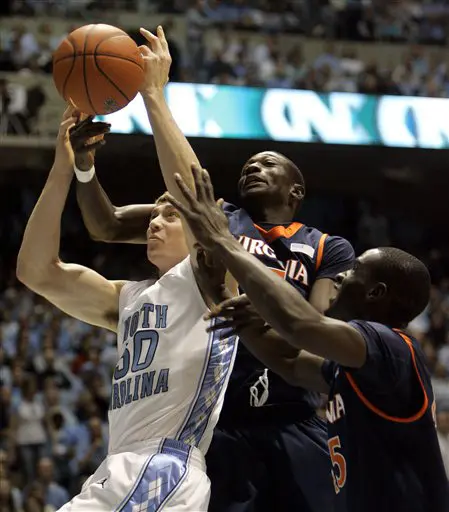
301	255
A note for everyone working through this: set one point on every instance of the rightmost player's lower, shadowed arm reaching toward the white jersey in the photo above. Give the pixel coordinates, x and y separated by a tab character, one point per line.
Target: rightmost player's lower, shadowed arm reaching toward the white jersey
297	367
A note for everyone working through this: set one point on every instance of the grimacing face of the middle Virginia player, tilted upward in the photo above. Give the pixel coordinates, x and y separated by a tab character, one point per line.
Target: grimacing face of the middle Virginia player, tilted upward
265	175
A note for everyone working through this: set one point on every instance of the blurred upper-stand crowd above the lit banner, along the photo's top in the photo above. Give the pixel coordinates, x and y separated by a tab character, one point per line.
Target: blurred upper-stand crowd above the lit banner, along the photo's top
236	57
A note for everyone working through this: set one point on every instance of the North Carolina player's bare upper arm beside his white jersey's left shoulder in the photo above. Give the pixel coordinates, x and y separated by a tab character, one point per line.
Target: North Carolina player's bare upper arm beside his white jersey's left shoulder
83	293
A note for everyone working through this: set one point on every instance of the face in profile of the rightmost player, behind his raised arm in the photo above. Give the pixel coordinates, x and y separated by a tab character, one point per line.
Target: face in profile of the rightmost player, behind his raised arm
355	288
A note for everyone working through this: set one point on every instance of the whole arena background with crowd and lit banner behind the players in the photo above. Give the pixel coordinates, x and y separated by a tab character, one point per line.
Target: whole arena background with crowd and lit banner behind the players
356	93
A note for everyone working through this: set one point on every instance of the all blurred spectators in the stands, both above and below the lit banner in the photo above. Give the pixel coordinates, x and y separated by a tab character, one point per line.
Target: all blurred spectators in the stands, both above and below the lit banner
55	371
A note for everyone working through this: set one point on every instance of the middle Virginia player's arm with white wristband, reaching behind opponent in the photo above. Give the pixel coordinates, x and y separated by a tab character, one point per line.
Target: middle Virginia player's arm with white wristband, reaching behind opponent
104	221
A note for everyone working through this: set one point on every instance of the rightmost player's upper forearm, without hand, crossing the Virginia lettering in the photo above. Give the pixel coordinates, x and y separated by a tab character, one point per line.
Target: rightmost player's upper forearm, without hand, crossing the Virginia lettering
277	302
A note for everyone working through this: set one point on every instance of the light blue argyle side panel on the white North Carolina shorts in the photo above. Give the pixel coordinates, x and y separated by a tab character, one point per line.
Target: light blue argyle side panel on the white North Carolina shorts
159	478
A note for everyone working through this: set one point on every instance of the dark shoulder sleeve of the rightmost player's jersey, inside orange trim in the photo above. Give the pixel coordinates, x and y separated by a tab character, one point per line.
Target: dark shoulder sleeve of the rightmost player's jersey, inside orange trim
388	379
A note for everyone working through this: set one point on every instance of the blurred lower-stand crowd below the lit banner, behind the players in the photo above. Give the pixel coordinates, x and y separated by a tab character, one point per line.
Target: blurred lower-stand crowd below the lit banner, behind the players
55	371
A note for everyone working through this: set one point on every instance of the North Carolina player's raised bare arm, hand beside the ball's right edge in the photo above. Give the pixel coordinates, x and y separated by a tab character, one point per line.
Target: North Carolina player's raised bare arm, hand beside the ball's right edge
174	151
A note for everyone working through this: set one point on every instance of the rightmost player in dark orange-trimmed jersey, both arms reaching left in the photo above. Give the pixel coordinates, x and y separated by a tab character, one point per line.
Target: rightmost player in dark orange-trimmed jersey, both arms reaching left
383	442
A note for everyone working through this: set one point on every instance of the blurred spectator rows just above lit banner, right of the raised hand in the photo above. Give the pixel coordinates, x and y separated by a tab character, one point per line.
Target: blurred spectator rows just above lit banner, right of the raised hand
232	60
